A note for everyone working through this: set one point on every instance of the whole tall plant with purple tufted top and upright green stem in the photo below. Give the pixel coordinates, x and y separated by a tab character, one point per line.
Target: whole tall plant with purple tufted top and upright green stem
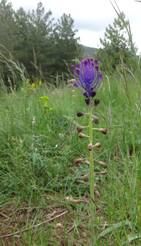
88	77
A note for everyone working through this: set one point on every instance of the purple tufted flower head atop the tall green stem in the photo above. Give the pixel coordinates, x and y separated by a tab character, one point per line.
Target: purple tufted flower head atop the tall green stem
87	76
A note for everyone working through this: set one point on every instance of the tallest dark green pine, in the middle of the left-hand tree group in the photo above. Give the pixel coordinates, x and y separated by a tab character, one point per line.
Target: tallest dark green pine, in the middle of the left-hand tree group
33	45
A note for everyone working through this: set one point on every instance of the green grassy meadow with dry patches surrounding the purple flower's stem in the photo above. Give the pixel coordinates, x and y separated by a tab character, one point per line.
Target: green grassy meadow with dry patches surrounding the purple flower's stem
38	176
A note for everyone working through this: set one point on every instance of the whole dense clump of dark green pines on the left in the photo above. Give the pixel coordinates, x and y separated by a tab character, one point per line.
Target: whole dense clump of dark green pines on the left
34	39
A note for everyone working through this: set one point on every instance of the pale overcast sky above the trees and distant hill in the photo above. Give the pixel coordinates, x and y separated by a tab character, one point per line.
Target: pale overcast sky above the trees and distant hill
91	17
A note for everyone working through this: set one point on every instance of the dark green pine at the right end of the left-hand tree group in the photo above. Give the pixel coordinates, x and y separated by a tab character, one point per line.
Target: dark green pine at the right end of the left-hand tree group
66	43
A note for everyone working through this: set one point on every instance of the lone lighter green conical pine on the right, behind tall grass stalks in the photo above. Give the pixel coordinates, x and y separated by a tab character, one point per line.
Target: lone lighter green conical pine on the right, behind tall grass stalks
116	45
